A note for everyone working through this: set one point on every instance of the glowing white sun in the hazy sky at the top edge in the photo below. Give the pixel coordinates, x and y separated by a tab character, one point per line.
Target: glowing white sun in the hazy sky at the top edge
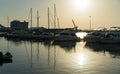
82	4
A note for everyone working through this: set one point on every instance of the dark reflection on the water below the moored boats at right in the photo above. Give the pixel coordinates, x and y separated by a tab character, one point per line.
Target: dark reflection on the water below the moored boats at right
112	49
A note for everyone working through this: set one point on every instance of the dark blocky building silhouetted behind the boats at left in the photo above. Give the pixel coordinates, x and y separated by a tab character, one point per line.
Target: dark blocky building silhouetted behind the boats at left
17	25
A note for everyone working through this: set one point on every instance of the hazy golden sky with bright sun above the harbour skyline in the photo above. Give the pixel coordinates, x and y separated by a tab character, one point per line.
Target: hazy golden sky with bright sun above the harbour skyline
104	13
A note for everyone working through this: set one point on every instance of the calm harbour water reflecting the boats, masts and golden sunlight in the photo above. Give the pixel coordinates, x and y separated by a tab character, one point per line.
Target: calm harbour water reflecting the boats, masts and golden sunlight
60	58
